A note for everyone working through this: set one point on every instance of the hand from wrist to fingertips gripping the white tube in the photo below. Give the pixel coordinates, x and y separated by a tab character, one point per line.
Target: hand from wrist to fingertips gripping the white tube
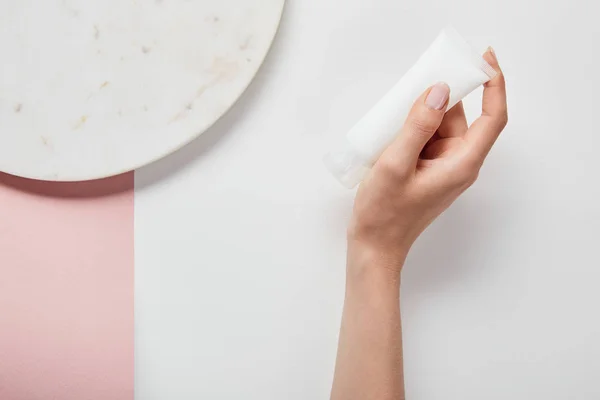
435	158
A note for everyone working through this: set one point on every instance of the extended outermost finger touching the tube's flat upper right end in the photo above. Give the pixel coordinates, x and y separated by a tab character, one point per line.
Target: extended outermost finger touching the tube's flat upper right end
485	130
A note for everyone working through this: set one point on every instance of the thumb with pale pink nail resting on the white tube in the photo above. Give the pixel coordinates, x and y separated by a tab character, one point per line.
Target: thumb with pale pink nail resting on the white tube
421	124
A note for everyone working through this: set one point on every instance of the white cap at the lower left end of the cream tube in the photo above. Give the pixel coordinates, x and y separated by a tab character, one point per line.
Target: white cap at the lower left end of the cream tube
348	167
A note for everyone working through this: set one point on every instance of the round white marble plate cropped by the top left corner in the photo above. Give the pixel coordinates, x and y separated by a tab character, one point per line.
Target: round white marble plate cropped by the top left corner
93	88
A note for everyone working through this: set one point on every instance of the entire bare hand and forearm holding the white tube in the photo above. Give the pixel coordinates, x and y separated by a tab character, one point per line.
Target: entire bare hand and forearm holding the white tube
435	158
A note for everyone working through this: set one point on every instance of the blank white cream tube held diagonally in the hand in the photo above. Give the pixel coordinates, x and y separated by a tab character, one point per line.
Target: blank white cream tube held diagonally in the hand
449	59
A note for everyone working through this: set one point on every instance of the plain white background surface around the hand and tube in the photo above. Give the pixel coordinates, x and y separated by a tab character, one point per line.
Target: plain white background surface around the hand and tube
240	244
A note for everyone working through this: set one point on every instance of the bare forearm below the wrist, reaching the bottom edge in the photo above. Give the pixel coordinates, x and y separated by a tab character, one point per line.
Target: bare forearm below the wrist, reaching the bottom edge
369	364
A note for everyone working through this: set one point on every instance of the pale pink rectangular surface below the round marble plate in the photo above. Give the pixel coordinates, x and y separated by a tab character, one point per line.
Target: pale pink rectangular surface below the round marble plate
66	290
